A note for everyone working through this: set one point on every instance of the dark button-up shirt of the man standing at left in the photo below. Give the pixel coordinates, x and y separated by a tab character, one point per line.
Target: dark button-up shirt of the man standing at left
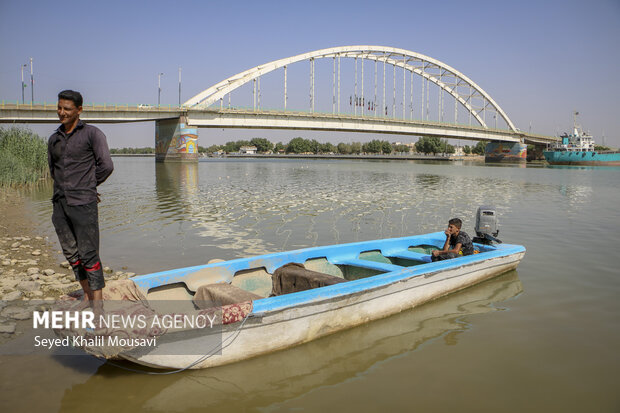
78	163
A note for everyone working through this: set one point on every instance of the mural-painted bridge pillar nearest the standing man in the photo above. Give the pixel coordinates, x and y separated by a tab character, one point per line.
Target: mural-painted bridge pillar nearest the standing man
175	141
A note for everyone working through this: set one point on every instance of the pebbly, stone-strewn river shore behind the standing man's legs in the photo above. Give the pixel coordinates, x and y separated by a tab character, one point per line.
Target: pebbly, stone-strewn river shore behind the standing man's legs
31	270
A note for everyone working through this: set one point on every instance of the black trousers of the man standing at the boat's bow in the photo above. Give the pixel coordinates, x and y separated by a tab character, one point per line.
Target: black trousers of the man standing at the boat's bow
77	227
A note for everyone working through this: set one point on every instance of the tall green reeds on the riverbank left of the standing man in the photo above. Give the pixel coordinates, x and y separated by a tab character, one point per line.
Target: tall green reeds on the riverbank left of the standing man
23	157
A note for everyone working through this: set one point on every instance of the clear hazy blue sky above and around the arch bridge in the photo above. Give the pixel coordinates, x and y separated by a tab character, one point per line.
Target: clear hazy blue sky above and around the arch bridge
539	60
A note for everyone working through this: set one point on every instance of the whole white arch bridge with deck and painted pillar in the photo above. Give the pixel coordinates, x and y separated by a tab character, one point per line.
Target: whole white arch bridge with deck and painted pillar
370	89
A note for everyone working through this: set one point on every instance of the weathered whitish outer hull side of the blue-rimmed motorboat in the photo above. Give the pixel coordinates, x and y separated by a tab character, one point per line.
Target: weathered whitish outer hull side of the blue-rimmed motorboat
277	329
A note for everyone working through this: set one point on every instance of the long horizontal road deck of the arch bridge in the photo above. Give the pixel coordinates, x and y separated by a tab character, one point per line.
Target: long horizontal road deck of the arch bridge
250	119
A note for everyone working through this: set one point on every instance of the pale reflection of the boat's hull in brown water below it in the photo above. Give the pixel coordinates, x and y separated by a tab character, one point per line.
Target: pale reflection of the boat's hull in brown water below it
280	376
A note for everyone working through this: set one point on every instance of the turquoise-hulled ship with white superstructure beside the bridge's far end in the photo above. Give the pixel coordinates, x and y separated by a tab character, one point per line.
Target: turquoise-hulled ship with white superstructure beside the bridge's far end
578	149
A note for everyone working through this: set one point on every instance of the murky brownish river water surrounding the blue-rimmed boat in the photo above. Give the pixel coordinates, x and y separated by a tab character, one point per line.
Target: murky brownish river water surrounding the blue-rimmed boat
542	338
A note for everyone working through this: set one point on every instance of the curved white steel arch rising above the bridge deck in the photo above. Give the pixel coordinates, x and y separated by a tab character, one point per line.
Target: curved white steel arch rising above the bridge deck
378	53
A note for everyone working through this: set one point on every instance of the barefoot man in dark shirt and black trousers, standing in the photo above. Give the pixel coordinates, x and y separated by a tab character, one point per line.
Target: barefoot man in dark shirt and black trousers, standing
79	161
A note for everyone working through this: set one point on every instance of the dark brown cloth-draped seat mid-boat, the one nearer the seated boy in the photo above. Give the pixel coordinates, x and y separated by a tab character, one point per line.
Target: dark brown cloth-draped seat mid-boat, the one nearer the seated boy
293	277
